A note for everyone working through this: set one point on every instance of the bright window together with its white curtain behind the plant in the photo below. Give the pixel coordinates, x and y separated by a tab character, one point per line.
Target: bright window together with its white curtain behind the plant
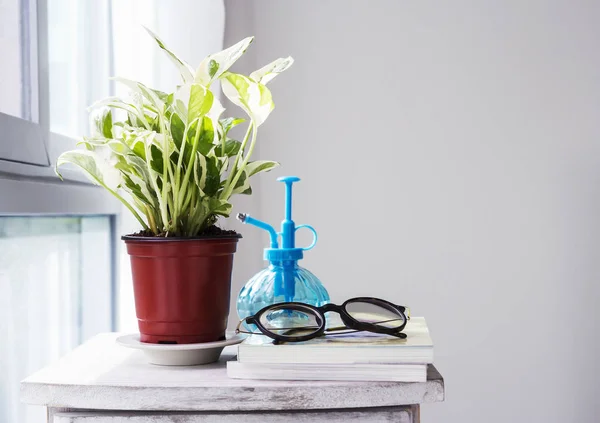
57	281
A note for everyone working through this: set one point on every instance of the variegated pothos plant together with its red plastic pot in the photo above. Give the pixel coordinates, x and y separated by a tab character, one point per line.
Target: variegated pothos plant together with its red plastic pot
168	158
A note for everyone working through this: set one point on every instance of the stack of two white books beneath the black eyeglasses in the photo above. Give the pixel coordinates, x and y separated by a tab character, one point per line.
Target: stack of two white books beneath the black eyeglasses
357	356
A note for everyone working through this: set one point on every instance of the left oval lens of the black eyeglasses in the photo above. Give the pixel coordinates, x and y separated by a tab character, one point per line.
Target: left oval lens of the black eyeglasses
291	321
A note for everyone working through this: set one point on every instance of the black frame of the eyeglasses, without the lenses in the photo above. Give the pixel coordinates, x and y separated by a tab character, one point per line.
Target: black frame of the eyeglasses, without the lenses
347	319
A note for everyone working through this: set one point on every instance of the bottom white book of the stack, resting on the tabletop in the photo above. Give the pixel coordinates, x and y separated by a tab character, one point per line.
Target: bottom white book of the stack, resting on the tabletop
346	372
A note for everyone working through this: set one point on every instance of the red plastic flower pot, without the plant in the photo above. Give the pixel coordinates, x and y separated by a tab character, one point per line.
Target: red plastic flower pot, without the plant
182	287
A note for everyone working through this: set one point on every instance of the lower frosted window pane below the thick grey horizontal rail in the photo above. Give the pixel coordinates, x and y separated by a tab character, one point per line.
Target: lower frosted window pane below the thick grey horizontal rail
56	291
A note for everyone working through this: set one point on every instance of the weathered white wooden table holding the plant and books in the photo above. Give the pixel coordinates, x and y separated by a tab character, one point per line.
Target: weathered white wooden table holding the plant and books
101	381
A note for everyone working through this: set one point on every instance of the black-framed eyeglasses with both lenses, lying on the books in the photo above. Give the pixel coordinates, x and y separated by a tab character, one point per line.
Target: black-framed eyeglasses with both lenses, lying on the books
296	322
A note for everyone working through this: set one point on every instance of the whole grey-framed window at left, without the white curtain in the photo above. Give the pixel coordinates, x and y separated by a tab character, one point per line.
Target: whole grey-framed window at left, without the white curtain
58	262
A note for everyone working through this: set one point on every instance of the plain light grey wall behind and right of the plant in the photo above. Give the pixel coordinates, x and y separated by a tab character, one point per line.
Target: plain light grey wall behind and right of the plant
450	157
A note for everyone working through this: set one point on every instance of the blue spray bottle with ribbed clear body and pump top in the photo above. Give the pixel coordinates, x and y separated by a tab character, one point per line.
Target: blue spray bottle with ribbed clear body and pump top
283	280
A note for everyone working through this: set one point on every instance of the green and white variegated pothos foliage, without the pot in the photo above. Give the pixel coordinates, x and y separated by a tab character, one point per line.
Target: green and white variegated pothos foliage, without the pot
170	153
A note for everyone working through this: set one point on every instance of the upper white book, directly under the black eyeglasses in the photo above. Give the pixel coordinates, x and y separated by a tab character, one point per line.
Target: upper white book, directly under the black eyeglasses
352	348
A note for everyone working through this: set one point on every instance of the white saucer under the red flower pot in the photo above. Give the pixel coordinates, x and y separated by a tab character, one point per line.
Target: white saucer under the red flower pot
180	354
